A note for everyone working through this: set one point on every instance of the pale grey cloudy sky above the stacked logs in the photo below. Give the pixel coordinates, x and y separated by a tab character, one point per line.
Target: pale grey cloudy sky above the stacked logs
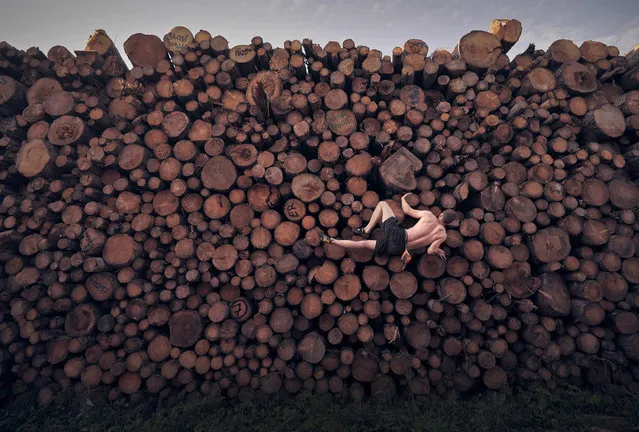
379	24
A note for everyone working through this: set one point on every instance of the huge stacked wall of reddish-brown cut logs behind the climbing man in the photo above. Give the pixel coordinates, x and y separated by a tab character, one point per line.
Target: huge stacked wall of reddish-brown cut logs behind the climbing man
160	223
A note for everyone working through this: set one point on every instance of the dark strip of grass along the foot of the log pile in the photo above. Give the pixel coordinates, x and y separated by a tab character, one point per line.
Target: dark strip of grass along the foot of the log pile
567	409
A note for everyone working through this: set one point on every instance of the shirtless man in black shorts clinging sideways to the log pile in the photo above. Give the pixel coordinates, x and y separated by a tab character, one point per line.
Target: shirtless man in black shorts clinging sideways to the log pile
429	230
